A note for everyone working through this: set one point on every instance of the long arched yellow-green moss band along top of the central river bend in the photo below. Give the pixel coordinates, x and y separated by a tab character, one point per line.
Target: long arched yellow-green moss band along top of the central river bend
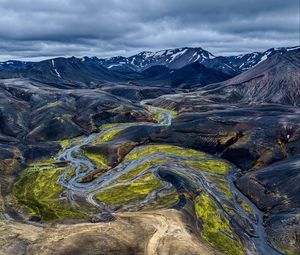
165	149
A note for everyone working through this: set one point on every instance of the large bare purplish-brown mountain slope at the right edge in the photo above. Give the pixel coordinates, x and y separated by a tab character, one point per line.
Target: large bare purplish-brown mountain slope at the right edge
276	80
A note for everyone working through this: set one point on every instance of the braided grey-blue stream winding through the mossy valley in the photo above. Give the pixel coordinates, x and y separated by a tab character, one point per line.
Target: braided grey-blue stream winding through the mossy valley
257	237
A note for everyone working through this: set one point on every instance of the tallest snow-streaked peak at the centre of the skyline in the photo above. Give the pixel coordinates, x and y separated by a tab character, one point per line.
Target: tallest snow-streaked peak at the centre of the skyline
171	58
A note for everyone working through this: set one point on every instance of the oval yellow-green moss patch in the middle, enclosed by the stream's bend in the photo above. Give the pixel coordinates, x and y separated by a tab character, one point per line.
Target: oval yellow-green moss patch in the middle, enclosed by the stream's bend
122	194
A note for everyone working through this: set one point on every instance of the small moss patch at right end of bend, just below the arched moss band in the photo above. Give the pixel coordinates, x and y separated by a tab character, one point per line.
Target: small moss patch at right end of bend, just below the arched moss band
210	165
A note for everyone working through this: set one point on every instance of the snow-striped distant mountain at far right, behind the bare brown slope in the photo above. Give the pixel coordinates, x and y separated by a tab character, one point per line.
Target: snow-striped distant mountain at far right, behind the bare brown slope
246	61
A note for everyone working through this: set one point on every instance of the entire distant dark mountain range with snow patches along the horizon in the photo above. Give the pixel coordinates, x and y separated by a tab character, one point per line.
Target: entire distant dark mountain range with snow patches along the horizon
173	68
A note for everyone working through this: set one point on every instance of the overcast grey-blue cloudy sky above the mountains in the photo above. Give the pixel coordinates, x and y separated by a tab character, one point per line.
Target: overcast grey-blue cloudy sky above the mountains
38	29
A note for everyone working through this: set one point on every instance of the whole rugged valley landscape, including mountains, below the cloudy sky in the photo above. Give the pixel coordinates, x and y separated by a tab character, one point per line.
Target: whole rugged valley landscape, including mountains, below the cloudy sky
159	165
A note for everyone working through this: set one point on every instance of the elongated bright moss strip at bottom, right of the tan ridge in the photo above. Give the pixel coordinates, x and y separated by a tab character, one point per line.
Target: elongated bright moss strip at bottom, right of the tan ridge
216	228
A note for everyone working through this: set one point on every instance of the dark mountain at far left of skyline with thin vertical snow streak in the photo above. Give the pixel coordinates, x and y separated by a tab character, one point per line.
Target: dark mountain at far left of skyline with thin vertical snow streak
64	71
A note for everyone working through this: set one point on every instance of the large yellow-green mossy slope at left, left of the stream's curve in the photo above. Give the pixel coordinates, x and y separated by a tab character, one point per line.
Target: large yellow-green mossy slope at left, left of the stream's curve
37	189
